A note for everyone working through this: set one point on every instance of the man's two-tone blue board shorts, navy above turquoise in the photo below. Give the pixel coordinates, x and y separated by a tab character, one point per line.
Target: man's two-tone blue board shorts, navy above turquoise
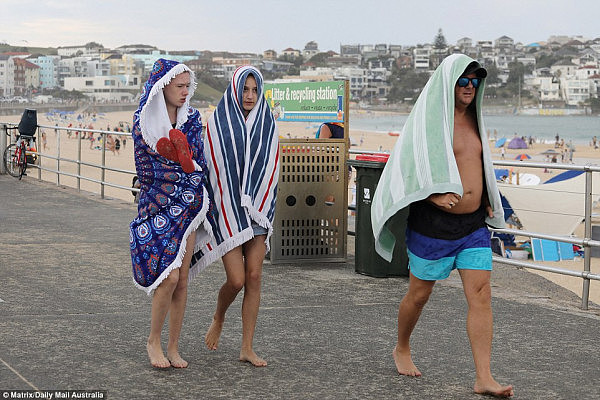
433	259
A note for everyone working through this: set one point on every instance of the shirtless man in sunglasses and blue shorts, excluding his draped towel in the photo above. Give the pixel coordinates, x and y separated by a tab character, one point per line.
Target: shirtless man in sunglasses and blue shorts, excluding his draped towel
453	228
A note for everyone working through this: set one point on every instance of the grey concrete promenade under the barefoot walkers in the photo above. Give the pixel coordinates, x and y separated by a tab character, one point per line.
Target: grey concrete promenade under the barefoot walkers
70	318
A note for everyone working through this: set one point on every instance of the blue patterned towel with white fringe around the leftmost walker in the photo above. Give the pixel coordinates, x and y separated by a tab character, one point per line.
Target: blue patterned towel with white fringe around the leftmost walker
172	204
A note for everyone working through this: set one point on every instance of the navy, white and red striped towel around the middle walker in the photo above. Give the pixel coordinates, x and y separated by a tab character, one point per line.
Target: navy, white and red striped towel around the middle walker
243	158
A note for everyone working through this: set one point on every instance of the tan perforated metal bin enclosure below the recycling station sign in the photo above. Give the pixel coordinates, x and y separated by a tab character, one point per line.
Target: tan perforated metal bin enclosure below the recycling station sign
311	214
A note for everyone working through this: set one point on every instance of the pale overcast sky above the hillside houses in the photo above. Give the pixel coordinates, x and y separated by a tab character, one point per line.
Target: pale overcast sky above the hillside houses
243	26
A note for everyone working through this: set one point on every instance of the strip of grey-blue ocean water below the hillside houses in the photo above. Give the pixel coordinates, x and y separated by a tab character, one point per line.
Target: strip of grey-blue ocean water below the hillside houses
578	128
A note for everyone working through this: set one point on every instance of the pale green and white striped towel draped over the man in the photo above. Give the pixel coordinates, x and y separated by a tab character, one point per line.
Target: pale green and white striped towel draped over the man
422	161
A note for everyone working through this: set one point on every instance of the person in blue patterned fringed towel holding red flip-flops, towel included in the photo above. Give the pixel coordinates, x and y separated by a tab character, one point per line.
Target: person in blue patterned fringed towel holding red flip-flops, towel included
174	209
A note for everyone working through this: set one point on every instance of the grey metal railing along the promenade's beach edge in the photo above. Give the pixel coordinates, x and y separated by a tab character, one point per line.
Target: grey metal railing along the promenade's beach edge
587	243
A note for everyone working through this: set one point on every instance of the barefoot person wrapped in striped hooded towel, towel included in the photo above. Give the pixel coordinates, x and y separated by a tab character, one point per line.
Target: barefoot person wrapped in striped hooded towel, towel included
242	146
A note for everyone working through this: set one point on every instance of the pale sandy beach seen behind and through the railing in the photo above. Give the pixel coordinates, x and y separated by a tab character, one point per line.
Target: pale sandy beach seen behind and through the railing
362	140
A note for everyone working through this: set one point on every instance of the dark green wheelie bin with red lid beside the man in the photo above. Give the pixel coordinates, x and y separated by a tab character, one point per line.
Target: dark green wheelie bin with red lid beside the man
367	260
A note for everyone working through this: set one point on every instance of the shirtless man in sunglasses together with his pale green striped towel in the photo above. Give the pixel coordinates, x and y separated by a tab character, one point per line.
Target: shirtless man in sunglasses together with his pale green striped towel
450	187
